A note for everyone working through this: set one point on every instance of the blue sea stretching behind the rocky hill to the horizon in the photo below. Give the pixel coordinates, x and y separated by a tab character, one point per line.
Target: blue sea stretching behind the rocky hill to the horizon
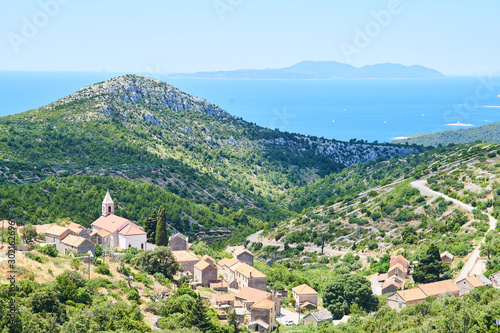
374	109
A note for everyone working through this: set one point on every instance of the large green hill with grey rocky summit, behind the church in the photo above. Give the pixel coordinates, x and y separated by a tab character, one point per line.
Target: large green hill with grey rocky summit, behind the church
140	128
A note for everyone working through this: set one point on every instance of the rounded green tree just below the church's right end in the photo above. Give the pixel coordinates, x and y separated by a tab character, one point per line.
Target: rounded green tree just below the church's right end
159	260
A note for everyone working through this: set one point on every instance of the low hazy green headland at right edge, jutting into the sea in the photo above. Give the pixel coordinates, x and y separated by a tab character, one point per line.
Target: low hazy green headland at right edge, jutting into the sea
488	133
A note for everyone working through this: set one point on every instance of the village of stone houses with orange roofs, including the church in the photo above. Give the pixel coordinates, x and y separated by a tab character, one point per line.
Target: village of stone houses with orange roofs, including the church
236	285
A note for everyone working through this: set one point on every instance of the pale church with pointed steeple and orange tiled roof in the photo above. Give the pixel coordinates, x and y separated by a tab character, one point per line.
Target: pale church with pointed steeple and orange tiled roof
116	231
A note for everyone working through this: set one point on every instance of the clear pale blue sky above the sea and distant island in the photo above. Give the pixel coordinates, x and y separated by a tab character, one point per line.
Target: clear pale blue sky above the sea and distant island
459	37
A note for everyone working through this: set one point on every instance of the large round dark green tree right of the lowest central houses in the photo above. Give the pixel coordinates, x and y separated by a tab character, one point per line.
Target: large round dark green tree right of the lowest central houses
342	291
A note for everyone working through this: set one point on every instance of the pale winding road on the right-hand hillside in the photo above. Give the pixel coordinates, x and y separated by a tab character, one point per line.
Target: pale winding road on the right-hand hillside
424	190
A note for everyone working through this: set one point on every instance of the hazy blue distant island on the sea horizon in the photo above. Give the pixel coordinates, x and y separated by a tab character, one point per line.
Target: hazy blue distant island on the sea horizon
320	70
